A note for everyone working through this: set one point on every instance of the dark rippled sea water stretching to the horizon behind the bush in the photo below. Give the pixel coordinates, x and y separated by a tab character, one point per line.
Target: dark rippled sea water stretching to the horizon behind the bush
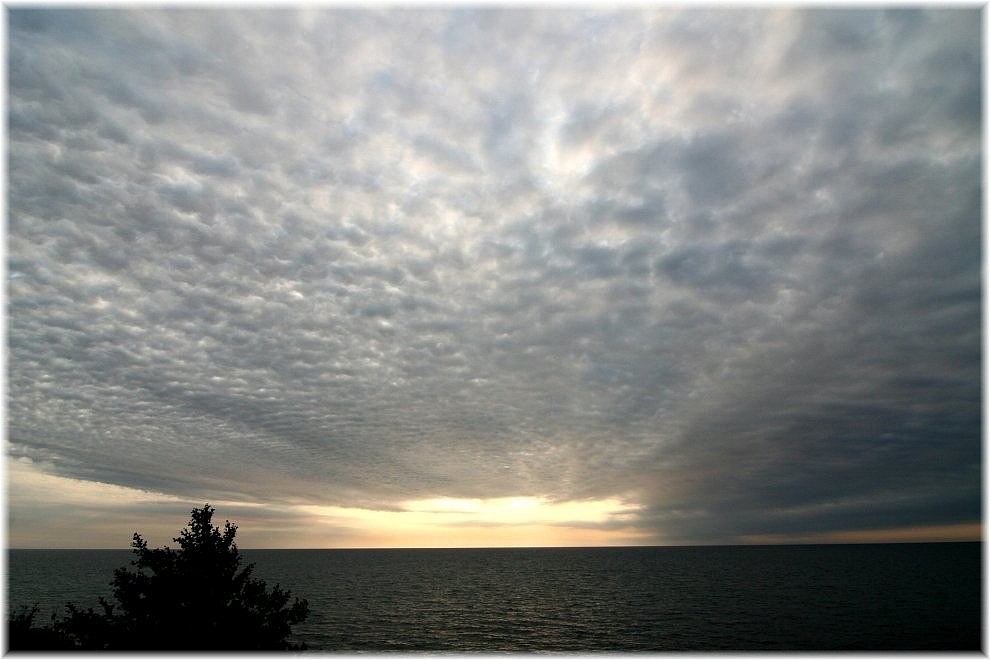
810	597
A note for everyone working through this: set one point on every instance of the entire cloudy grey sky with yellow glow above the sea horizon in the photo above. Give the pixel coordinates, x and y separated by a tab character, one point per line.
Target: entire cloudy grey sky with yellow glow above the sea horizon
494	277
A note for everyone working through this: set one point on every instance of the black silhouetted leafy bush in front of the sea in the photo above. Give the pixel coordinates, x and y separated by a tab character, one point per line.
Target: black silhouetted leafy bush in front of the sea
195	598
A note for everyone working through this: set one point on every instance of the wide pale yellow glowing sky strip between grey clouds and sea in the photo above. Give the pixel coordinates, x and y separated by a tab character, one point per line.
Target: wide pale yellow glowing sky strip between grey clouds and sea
46	510
